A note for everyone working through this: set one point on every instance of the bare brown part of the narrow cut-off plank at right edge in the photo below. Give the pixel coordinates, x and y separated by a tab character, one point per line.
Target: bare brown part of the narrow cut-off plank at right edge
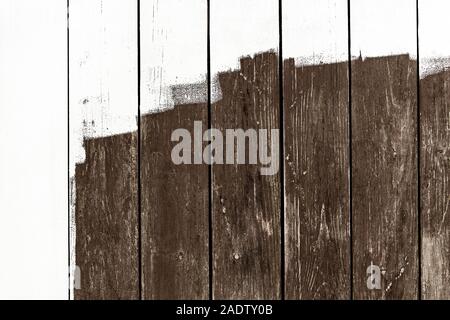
435	184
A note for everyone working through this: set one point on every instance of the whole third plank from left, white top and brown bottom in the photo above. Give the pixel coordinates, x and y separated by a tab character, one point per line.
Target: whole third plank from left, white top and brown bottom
175	207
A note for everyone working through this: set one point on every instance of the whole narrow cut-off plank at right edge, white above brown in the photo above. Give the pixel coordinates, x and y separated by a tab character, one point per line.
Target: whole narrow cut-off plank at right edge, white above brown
435	139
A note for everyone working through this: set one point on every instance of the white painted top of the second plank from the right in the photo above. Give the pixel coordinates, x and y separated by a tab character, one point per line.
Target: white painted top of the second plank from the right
383	27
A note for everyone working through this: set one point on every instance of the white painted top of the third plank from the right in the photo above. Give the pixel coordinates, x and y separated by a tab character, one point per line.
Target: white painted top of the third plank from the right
315	31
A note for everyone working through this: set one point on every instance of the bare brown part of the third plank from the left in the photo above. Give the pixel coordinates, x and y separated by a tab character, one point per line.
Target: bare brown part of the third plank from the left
175	209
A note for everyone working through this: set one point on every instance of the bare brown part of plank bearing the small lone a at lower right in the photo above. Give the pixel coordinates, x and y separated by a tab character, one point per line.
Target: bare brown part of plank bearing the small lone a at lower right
384	174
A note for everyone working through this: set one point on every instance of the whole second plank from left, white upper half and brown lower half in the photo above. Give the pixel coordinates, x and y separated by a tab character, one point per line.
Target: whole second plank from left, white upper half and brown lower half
103	112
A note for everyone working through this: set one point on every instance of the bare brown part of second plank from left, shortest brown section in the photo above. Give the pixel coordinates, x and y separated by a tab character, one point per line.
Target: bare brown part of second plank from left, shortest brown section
106	218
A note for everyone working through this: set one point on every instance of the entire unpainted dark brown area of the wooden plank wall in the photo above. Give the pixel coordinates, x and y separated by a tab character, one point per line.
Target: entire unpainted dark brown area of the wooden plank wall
363	181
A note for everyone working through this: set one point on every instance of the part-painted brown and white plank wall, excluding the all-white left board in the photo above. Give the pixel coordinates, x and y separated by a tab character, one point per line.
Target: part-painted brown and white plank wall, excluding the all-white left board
348	178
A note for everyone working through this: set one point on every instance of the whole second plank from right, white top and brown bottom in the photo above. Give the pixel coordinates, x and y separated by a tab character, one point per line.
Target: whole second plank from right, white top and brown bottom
384	150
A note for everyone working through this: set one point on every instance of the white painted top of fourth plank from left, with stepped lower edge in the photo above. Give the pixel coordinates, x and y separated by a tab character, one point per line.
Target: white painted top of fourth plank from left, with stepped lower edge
240	28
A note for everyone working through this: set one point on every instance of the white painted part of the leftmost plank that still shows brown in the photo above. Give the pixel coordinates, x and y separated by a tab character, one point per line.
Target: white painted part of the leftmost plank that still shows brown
103	76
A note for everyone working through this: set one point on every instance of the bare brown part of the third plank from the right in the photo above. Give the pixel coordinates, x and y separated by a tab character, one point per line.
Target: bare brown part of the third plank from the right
317	181
